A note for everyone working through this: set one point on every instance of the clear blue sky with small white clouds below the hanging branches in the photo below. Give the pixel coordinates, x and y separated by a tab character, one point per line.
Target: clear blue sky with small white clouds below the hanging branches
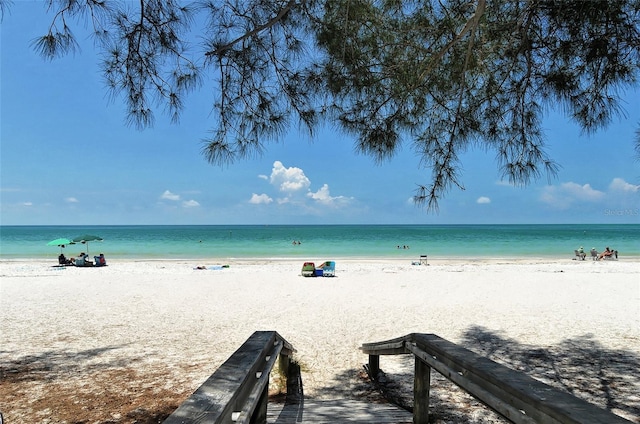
68	157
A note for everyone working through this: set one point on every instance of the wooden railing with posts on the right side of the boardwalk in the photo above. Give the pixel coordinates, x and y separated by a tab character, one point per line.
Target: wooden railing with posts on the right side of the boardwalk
514	395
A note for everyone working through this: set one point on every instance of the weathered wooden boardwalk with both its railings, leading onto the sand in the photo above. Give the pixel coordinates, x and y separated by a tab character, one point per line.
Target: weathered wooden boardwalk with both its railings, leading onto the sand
238	390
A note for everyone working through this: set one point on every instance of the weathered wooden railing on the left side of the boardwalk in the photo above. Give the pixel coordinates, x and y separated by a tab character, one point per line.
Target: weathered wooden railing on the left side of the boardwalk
238	391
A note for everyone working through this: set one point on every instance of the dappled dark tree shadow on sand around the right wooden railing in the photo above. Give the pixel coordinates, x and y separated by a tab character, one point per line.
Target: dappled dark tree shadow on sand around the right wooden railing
608	378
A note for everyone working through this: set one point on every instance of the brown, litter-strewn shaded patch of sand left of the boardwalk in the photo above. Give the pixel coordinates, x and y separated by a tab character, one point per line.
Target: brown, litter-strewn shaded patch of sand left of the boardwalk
80	387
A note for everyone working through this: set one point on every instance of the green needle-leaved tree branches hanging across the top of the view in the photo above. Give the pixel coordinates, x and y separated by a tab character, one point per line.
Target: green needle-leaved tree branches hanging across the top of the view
445	76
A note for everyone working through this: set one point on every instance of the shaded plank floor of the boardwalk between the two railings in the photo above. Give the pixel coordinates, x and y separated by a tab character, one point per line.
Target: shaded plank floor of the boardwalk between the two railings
337	411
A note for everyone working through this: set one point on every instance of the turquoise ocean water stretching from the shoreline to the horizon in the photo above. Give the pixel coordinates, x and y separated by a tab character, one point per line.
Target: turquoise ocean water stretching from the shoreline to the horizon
322	242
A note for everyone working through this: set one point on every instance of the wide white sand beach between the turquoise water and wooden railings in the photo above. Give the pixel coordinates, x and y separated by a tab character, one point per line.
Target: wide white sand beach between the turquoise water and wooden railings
128	342
